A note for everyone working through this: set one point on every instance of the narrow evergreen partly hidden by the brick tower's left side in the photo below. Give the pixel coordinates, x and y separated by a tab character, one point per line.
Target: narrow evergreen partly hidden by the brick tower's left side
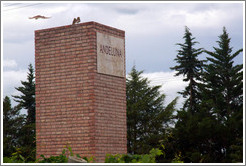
26	100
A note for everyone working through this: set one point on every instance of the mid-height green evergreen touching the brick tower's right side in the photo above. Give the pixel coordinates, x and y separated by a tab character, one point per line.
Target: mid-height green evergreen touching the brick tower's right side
147	117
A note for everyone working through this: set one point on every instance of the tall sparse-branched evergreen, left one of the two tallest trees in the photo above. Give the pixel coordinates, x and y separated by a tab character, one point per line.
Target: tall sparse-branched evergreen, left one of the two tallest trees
186	136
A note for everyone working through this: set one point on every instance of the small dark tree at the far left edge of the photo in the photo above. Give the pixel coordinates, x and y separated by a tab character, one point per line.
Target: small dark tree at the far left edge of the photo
12	123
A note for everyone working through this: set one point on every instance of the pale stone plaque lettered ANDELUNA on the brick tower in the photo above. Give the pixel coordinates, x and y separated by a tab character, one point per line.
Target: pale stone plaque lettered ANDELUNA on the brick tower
110	55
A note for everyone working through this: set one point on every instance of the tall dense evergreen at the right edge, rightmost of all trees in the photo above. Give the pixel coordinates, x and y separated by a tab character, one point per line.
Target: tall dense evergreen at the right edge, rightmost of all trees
224	93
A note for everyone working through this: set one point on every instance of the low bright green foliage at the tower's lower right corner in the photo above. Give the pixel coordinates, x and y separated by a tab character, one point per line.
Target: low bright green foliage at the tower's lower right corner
129	158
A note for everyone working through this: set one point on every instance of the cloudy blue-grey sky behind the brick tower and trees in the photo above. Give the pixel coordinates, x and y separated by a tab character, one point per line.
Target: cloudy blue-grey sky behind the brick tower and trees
152	30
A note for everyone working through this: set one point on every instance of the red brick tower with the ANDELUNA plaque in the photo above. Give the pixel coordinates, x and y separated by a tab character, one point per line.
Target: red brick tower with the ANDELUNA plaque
80	90
